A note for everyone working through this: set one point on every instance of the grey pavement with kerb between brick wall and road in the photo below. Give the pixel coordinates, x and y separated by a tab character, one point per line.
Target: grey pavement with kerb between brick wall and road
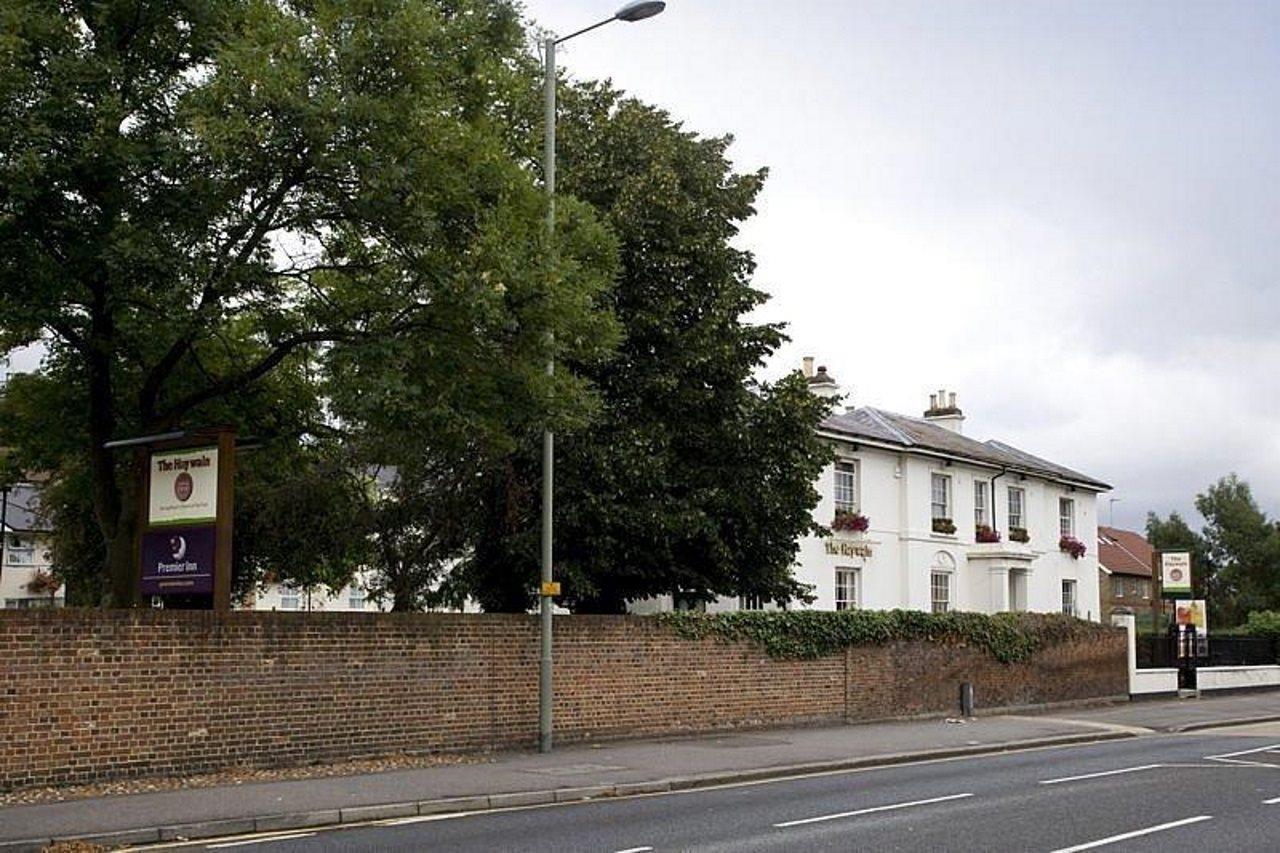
598	770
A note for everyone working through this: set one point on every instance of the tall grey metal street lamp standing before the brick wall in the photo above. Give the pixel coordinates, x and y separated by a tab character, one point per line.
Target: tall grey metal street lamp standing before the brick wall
632	12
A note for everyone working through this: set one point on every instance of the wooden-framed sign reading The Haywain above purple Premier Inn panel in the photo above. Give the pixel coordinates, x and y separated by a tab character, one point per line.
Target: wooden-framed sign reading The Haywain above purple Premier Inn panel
186	540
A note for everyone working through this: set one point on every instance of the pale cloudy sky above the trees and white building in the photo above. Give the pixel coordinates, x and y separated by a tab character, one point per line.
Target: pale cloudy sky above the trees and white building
1066	212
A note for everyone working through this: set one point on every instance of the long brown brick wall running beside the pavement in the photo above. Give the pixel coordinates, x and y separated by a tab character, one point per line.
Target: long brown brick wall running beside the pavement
88	696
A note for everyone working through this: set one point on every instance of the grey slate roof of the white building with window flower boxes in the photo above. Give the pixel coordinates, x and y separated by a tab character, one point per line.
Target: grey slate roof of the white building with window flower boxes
903	431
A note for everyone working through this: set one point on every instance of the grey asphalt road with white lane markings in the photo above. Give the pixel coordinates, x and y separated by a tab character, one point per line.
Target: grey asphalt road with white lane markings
1214	791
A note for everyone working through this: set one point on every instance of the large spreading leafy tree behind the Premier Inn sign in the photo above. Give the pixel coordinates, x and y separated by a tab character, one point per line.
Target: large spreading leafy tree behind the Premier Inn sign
203	195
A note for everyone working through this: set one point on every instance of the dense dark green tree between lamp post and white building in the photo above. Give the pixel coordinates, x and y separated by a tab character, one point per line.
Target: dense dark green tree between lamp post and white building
693	478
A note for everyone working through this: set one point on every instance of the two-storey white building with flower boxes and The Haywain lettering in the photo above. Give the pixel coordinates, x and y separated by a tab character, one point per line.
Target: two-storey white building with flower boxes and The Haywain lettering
922	490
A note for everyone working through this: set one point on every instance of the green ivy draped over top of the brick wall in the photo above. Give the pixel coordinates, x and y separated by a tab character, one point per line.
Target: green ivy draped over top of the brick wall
810	633
